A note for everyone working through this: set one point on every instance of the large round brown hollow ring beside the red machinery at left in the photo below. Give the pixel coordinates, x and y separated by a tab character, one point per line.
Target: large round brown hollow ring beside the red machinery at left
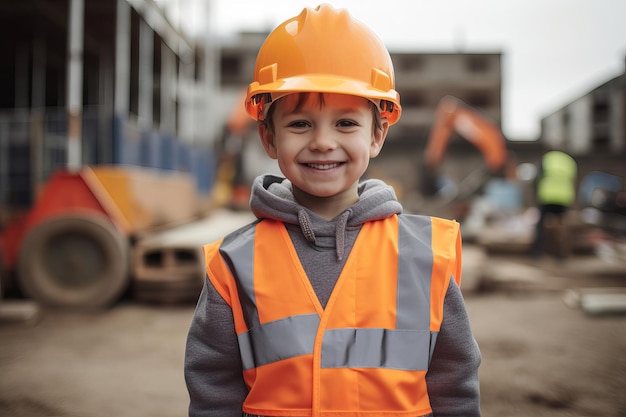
74	261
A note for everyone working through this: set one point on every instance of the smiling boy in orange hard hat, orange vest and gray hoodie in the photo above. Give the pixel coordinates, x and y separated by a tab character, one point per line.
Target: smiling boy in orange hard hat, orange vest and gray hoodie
332	303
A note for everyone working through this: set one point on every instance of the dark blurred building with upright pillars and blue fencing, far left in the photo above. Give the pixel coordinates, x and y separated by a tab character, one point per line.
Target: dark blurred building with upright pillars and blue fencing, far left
114	75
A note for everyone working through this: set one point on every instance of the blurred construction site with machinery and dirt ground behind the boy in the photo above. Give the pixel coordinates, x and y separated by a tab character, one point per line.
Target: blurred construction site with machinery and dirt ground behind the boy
116	166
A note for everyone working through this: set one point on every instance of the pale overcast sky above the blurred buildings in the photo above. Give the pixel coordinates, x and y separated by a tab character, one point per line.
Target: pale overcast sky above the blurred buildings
553	50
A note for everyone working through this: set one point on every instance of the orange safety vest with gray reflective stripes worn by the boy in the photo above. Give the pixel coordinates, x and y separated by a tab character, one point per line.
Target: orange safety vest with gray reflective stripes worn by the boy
367	352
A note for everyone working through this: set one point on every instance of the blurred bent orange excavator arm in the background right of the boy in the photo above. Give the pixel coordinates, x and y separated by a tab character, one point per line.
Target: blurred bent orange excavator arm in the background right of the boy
455	116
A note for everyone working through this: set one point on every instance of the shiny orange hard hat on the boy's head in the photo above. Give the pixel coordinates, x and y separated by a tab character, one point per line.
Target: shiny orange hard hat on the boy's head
323	50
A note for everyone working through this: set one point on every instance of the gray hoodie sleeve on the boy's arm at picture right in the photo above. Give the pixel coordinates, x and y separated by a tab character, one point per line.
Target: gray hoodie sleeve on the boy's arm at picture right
452	378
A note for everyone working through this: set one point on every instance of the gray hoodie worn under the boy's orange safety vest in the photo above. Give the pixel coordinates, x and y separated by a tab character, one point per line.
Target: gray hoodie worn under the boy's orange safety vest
213	371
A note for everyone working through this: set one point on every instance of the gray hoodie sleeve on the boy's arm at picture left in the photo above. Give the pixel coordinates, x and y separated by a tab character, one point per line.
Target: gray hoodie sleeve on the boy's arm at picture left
213	370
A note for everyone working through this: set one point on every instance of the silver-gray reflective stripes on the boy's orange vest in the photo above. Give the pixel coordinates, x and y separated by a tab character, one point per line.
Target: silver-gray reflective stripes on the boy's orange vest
407	347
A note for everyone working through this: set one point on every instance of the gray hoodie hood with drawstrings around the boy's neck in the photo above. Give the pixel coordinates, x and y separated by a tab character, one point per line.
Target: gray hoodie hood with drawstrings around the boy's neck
272	198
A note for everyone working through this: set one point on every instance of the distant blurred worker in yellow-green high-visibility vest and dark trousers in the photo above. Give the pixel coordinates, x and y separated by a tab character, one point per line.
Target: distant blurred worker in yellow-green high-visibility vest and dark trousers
555	194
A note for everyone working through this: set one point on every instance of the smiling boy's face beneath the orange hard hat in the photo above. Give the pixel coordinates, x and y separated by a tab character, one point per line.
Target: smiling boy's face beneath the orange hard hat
324	146
